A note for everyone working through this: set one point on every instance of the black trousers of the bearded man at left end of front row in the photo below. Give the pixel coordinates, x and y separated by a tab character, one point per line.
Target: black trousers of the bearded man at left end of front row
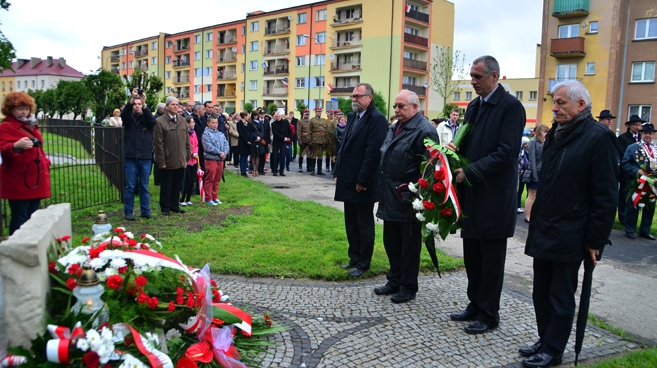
359	223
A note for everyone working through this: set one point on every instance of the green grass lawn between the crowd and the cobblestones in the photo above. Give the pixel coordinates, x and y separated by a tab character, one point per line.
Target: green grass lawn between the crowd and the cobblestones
255	232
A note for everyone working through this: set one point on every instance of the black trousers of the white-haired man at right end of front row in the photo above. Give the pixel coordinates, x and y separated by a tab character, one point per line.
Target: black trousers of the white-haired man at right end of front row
555	284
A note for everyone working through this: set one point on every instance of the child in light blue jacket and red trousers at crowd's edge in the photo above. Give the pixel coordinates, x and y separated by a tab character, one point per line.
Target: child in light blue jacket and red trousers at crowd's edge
216	149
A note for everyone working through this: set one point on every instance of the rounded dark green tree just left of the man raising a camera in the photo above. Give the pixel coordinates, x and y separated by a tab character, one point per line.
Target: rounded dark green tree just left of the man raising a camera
107	92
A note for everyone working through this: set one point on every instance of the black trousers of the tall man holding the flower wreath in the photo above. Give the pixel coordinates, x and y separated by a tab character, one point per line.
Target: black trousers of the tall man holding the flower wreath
484	265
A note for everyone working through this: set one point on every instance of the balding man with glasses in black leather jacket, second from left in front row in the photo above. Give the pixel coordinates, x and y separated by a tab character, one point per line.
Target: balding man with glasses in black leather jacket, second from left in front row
402	154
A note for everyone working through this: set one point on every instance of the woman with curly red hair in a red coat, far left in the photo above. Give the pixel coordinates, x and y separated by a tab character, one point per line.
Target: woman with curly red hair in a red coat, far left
24	173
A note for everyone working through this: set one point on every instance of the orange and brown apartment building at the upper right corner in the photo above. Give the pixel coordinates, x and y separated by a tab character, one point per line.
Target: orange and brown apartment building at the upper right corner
608	45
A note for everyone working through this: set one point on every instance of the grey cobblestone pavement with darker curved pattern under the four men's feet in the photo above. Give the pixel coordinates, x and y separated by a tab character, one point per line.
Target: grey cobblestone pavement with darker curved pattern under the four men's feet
347	325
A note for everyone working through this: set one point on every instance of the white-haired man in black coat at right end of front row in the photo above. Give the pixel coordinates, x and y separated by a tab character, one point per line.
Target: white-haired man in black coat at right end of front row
571	218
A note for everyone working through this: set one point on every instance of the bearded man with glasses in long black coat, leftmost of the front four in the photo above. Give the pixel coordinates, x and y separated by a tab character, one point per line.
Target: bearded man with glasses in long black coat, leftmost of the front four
356	176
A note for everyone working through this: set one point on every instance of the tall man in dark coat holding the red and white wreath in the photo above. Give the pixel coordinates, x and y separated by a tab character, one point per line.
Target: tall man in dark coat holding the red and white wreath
488	203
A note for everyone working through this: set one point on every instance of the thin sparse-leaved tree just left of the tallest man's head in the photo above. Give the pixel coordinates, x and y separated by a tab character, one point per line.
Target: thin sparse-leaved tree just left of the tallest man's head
447	70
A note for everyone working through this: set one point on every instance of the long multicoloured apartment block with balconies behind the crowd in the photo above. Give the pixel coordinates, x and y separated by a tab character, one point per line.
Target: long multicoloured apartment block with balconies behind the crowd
310	54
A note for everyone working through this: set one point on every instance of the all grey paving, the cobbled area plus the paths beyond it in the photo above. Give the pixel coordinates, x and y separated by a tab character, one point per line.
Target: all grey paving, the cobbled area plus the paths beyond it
345	324
